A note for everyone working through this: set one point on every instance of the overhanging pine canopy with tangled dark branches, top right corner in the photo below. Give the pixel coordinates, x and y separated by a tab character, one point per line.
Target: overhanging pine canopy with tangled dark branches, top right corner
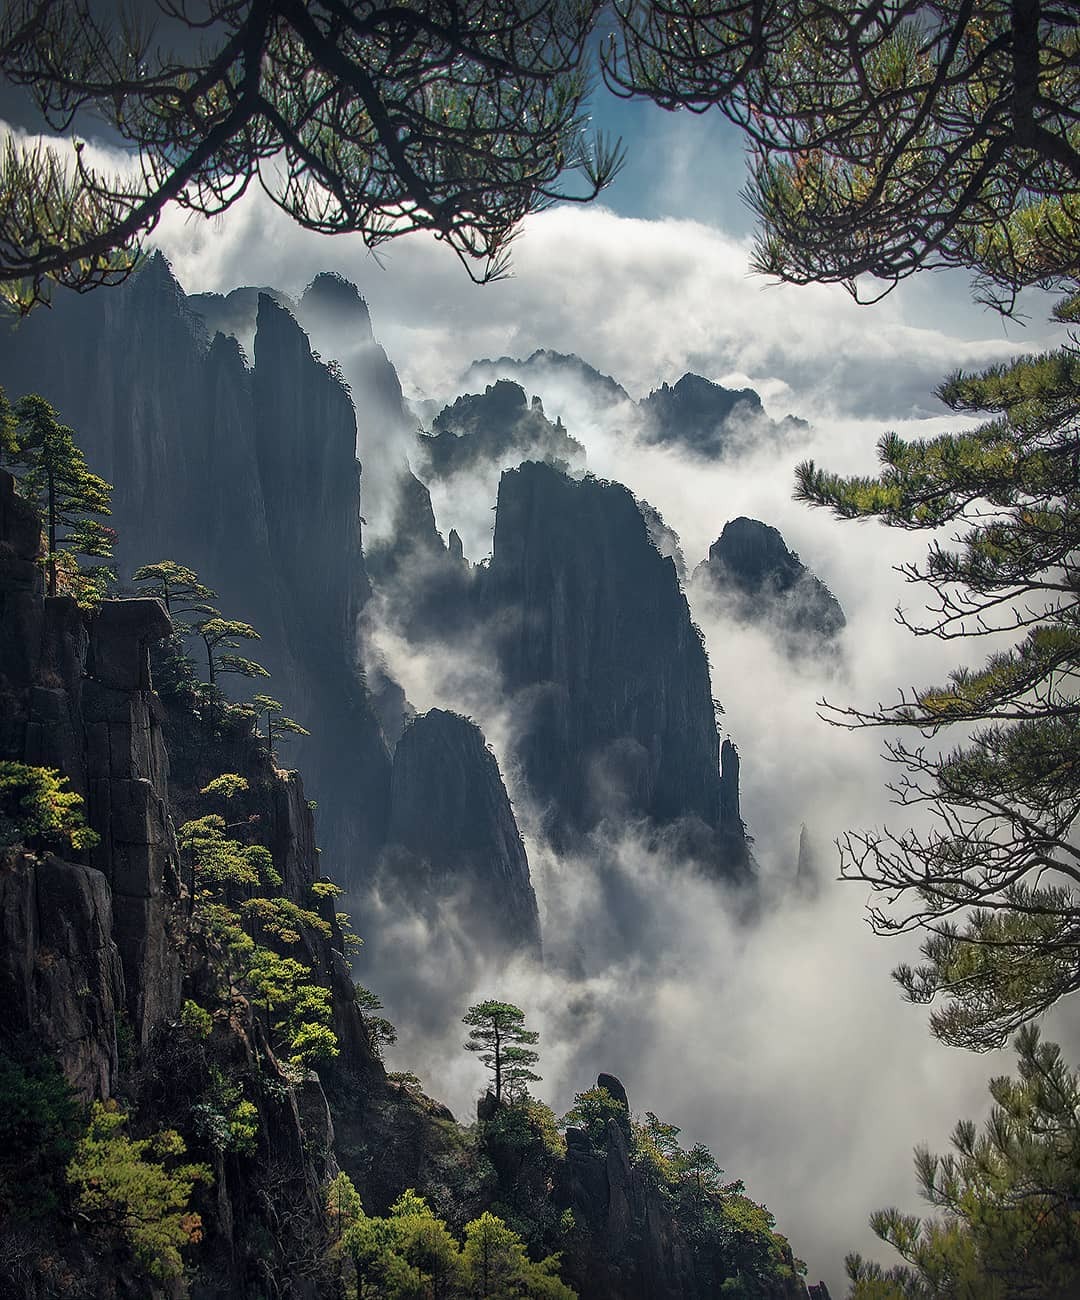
888	136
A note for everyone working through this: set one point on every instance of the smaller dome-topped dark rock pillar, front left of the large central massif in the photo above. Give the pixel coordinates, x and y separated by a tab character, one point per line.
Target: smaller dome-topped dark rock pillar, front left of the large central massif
453	833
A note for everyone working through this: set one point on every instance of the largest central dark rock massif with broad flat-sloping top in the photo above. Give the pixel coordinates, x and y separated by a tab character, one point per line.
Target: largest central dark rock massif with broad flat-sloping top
609	675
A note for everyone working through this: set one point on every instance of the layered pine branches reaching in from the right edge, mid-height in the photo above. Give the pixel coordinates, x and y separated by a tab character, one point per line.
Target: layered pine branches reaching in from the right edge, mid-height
994	882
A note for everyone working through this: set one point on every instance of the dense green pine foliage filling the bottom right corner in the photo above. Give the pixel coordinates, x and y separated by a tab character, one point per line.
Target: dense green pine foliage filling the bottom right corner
1008	1223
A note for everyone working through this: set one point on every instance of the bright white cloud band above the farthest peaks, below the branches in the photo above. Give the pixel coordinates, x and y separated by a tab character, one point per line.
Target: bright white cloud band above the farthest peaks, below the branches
644	301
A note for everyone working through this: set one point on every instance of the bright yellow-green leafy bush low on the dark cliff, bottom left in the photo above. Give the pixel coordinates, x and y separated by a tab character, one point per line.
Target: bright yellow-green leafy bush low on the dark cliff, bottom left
136	1191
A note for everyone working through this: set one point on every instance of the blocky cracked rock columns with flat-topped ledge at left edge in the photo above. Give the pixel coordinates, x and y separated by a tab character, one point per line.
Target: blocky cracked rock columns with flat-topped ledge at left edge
76	696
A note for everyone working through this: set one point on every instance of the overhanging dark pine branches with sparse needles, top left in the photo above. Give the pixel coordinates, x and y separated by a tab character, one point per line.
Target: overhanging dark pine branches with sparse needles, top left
457	119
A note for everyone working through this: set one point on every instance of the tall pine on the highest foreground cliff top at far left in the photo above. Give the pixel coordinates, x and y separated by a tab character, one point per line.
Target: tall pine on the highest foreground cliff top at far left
54	475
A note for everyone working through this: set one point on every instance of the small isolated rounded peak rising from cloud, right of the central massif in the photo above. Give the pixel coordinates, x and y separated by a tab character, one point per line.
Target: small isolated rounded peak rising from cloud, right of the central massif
756	577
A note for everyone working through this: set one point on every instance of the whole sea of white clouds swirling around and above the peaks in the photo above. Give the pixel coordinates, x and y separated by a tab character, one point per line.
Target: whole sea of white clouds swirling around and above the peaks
783	1045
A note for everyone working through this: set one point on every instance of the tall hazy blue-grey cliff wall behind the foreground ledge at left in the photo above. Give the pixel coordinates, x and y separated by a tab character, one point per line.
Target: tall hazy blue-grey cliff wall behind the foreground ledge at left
248	476
